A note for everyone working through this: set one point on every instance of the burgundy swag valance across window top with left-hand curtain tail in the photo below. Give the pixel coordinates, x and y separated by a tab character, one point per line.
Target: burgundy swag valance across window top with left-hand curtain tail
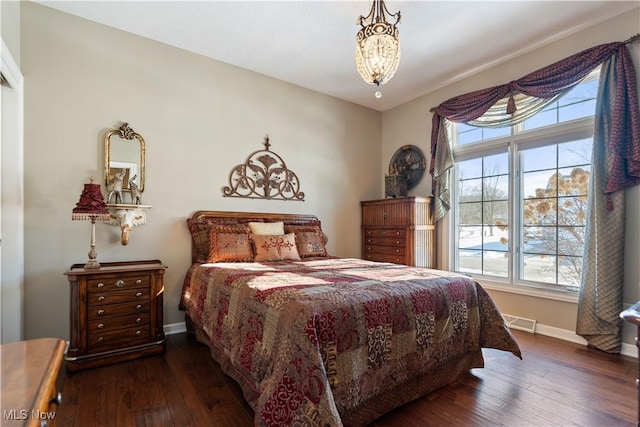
545	85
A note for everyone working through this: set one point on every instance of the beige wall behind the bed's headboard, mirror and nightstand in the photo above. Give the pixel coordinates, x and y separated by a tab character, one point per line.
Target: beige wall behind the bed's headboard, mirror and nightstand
199	118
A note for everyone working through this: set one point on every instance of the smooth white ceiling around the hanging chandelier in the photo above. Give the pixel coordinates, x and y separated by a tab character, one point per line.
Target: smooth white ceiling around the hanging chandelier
311	43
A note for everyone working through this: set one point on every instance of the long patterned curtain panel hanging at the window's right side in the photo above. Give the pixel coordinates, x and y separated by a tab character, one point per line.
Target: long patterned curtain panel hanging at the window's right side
616	166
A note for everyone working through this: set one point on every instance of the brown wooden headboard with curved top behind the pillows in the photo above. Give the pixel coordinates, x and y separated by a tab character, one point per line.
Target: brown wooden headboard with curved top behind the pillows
222	217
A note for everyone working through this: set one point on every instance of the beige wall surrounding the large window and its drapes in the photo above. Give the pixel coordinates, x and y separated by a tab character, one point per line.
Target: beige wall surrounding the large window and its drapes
410	123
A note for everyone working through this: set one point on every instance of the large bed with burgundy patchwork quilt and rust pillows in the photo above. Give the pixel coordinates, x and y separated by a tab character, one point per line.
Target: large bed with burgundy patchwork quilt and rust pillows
318	340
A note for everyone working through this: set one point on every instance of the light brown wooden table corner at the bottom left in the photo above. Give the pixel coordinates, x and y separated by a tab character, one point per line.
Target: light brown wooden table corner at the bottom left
29	373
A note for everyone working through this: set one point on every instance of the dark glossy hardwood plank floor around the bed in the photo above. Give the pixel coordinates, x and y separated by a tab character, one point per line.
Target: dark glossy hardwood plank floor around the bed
556	384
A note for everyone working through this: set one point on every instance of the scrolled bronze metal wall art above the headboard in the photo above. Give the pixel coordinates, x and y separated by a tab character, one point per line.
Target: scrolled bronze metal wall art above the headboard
263	175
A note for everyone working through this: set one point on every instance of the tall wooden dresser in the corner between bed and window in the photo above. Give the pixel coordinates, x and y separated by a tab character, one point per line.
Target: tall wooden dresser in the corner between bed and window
399	230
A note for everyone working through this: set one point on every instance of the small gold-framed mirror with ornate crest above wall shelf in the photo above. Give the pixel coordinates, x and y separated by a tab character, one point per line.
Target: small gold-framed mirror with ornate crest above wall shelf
124	157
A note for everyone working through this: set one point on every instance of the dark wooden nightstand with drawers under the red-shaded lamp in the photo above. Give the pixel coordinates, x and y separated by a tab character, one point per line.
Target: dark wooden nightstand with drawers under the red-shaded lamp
116	313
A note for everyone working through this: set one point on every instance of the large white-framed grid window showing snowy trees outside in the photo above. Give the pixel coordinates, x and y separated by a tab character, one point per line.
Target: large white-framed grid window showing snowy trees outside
521	195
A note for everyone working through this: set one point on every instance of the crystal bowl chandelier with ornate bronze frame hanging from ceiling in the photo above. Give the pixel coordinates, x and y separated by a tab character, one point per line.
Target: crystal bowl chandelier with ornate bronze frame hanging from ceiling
377	45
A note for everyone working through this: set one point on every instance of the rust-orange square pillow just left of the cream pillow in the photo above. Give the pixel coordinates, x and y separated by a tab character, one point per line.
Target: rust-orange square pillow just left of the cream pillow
230	244
